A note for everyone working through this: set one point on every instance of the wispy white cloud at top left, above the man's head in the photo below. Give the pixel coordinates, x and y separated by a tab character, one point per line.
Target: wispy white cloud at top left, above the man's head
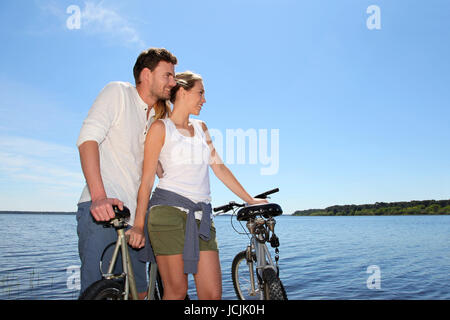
98	20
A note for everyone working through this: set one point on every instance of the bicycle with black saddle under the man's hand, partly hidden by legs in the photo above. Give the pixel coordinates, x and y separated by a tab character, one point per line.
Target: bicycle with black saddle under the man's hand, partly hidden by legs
122	286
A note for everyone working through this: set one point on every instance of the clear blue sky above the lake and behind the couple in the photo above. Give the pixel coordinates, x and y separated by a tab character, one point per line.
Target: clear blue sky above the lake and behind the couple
362	114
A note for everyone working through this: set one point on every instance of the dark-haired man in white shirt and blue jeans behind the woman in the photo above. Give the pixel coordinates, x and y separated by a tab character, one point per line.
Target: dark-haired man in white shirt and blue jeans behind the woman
111	147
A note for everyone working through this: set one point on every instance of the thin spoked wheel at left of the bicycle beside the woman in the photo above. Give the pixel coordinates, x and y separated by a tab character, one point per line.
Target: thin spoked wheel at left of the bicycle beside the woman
240	273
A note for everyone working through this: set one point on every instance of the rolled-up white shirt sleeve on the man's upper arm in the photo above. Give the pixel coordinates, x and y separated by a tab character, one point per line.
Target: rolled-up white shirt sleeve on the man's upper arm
102	115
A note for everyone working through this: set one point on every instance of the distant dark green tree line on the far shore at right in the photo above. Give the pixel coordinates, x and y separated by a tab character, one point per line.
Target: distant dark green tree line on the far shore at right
424	207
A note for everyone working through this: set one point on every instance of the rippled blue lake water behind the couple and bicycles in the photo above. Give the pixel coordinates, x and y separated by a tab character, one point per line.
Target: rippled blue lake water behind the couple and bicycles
363	257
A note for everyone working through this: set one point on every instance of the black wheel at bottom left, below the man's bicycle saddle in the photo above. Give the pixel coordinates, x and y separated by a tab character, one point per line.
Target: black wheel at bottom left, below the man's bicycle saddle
104	289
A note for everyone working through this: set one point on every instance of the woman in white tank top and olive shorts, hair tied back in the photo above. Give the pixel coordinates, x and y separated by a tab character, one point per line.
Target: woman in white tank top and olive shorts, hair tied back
179	223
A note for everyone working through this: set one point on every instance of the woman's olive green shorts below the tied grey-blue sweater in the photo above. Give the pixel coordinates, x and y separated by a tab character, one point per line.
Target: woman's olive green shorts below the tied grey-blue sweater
166	228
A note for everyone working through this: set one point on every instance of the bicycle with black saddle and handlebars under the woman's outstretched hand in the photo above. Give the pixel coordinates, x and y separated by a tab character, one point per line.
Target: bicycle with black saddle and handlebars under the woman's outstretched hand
260	223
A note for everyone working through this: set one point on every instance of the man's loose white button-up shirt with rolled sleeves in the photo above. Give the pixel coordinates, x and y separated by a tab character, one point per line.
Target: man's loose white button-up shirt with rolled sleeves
118	122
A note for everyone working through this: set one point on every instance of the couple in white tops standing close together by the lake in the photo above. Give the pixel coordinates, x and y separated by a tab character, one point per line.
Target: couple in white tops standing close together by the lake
129	136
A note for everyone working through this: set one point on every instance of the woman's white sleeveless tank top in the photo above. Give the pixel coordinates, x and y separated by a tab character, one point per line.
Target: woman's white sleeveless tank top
185	162
